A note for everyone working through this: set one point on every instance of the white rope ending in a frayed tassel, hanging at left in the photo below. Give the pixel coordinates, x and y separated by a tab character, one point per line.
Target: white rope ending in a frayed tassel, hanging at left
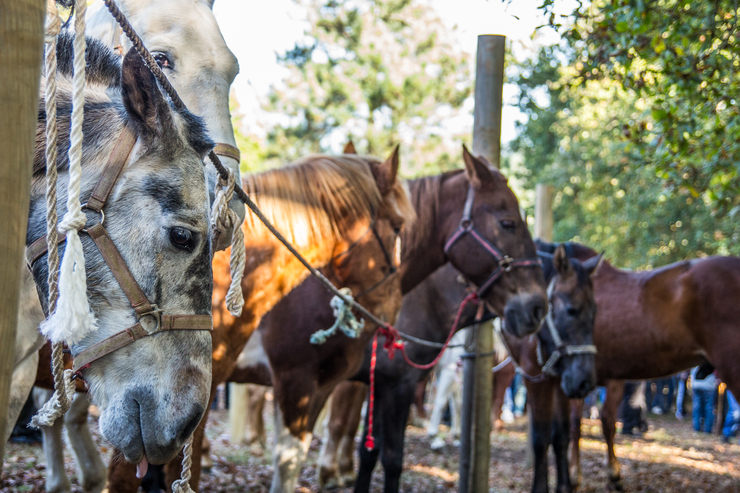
73	319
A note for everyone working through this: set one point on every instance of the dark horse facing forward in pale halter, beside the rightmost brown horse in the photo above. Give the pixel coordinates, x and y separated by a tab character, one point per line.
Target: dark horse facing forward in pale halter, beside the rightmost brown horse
574	375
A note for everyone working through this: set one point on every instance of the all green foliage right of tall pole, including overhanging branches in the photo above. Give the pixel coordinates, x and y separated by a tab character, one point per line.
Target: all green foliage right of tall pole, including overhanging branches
634	119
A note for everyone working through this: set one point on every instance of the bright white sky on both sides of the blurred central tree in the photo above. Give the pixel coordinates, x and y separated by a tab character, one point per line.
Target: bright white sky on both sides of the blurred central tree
258	30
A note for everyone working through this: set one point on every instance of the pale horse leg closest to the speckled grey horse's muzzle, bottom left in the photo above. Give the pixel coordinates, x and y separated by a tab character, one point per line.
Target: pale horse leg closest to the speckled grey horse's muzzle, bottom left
92	468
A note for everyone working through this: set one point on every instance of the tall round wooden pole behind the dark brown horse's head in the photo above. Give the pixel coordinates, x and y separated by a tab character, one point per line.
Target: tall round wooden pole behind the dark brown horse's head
475	450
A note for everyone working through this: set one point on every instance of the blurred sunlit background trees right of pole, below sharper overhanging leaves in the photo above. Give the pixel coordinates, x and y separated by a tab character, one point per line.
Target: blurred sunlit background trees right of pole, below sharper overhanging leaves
610	194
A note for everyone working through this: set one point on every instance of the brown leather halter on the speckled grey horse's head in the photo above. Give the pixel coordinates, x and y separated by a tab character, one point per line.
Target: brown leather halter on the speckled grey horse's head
150	318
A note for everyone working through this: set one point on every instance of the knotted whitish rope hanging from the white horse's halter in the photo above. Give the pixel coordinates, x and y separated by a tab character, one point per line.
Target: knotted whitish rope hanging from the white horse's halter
224	218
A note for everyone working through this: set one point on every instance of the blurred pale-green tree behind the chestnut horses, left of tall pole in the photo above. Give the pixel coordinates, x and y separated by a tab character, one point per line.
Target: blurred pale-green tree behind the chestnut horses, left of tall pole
378	71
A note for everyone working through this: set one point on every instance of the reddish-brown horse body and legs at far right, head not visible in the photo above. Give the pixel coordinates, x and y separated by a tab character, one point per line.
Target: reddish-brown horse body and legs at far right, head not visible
655	323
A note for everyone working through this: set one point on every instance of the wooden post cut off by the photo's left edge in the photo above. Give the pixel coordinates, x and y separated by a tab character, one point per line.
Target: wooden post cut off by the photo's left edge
21	53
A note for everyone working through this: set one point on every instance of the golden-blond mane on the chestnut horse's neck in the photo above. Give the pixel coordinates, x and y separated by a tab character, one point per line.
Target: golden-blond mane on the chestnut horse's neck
314	199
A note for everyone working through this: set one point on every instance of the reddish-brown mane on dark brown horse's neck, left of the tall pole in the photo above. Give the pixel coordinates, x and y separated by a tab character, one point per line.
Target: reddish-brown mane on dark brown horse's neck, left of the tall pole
425	197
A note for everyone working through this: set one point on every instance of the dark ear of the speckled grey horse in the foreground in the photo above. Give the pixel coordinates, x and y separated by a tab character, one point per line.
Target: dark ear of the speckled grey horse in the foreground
142	98
